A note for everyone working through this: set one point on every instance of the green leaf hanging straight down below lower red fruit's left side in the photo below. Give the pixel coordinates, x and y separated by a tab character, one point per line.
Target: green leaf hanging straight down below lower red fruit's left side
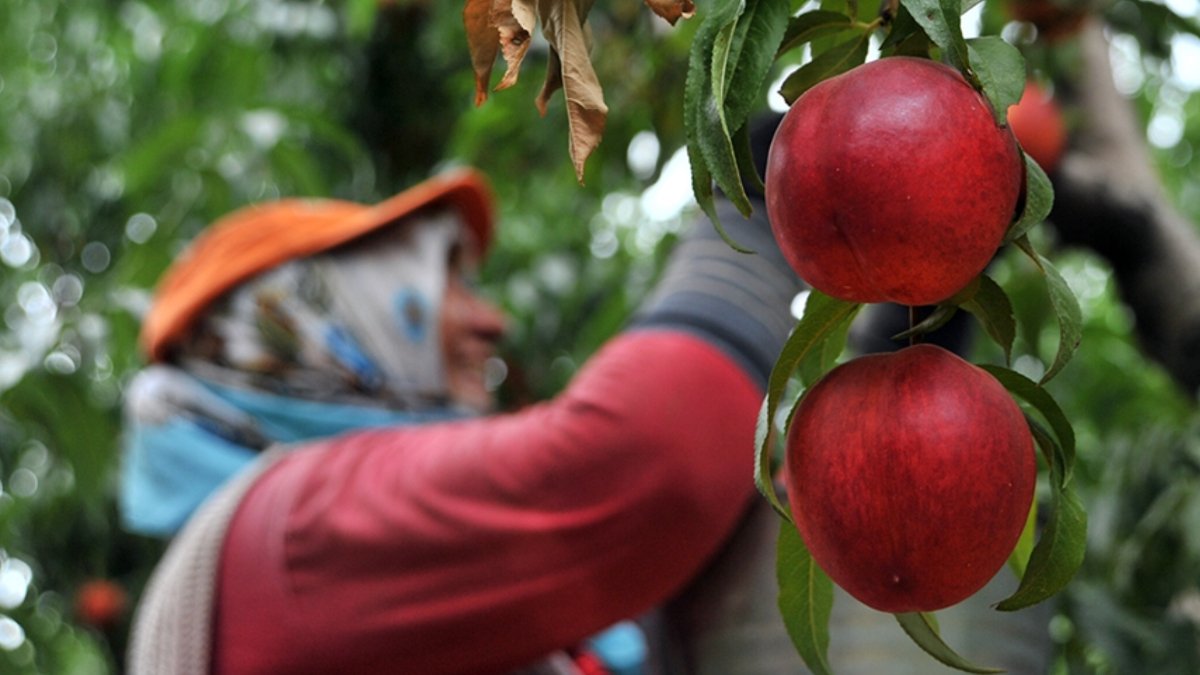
806	599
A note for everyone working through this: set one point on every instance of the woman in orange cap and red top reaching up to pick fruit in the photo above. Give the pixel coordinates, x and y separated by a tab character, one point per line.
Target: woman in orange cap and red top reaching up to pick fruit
320	368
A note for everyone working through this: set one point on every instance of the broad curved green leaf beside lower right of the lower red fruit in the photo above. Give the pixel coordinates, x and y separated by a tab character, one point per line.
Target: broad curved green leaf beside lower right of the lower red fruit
1059	552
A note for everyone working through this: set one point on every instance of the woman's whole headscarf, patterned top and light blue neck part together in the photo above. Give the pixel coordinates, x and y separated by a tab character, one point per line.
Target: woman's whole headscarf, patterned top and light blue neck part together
317	347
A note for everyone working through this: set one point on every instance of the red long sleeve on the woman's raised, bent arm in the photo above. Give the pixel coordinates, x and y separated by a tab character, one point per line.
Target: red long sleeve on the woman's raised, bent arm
481	546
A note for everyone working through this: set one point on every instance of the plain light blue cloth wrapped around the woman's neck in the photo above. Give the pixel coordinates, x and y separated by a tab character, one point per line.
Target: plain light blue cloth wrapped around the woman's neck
172	467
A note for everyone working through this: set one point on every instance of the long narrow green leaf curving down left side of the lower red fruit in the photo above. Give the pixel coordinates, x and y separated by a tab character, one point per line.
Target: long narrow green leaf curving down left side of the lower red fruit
823	318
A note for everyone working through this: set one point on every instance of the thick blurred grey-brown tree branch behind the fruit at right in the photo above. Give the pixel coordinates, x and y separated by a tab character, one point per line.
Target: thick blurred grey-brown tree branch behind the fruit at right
1109	199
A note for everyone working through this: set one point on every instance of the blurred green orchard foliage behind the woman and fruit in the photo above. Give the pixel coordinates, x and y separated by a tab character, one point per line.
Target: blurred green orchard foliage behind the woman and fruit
127	127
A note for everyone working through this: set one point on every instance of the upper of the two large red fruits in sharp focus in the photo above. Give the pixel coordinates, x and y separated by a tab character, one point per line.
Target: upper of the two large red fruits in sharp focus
892	183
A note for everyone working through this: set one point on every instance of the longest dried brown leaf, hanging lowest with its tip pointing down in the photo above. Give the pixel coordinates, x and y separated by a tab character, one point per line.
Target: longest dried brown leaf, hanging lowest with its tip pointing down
562	23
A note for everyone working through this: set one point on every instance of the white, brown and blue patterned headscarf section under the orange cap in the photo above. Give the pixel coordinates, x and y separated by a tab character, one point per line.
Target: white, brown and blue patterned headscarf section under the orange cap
356	325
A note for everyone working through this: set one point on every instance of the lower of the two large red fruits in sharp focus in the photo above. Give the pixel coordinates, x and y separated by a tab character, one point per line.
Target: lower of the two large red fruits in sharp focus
910	476
